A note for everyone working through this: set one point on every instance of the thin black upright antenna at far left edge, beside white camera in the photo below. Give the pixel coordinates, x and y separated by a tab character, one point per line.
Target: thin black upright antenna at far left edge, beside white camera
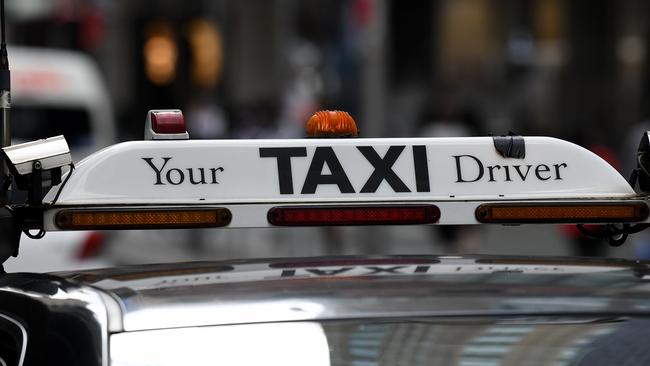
5	105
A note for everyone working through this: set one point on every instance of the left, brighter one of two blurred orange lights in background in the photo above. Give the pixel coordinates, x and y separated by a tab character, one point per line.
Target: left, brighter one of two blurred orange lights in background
160	54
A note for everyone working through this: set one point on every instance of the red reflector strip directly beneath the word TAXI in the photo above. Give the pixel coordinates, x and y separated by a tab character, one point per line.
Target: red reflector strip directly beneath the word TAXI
353	215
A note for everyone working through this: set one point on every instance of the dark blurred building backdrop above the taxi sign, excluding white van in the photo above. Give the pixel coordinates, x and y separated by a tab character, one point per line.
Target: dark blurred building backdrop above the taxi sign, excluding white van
248	68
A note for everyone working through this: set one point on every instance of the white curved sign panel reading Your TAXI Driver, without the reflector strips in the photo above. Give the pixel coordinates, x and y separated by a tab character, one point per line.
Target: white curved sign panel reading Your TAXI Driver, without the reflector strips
337	170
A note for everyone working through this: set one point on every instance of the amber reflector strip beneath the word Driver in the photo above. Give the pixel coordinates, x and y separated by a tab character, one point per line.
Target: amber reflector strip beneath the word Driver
562	213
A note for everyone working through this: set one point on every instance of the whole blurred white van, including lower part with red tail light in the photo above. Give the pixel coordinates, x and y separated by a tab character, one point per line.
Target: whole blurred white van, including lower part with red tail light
59	92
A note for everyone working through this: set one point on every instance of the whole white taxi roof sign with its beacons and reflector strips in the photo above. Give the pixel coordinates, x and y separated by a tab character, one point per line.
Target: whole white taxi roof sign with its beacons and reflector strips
169	181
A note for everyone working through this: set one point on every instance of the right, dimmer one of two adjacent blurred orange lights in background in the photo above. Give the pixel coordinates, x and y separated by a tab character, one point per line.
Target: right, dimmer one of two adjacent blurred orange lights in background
207	52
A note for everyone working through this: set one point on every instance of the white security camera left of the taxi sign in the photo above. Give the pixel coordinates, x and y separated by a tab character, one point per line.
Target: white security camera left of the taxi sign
42	155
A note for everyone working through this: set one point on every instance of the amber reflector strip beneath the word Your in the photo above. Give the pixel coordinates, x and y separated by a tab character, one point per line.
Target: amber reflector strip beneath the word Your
142	219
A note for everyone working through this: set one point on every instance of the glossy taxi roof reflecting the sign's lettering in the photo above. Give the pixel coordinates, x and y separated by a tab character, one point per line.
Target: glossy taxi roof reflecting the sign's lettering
302	289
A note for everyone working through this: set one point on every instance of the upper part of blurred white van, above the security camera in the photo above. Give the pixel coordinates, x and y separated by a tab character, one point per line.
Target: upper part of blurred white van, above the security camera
58	92
